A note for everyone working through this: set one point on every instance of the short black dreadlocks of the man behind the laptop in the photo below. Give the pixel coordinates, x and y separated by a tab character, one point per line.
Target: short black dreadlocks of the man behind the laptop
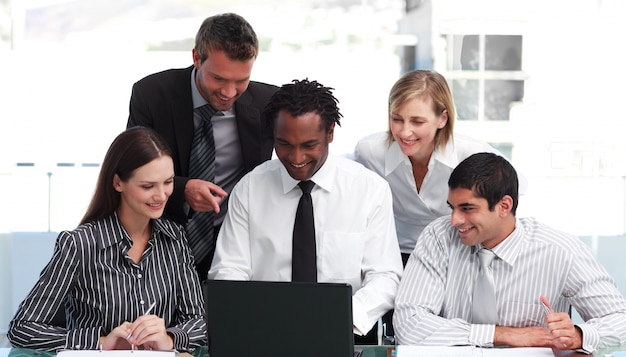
301	97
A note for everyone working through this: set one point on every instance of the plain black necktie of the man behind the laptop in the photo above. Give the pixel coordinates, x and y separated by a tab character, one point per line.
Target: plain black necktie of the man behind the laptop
303	259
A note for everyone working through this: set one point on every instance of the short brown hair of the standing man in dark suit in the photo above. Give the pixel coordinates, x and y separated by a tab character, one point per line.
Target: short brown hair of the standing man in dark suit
227	32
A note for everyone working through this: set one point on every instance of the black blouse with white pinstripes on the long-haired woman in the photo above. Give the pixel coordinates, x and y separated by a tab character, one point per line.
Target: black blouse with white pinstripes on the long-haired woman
100	287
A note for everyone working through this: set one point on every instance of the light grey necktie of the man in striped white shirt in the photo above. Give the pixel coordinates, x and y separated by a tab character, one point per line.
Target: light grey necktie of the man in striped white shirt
484	308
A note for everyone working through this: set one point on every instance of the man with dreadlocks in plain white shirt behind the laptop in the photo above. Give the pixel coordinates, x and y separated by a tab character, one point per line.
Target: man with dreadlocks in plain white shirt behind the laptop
355	237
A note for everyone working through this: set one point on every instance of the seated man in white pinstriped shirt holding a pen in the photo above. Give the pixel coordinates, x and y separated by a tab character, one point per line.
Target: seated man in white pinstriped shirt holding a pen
434	301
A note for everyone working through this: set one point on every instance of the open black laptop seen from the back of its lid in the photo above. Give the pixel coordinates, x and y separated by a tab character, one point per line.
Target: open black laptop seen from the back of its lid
262	318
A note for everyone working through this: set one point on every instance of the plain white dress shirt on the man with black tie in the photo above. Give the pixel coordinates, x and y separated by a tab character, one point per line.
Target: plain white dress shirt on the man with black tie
354	230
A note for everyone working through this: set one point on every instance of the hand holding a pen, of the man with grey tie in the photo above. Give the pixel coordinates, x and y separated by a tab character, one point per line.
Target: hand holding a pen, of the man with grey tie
566	336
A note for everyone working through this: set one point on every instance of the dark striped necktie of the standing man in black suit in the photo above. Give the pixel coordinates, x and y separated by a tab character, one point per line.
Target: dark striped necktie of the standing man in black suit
202	166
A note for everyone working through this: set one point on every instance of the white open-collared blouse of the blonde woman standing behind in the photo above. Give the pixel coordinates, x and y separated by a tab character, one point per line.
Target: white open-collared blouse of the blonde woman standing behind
413	211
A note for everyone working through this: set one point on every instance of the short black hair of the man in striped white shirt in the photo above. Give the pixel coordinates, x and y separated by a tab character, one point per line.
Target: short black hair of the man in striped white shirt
489	176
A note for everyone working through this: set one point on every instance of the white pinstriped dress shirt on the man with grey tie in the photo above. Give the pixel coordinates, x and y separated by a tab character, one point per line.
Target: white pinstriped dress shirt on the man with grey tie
433	305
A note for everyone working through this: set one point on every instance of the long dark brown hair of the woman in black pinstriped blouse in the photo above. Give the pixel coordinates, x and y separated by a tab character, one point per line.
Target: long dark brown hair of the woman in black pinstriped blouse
131	149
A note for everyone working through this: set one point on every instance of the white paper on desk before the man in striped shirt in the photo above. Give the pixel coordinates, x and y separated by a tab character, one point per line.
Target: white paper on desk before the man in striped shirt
471	351
